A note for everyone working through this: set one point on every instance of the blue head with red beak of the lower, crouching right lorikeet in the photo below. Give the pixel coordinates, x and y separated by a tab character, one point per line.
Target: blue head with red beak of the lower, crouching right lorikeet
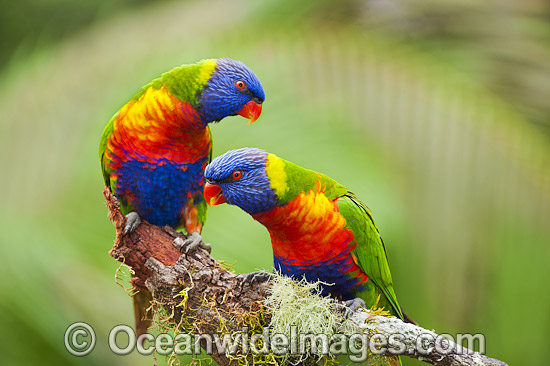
239	178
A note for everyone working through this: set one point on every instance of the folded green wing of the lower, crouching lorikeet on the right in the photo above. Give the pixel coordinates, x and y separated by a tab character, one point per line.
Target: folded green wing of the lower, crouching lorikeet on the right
370	252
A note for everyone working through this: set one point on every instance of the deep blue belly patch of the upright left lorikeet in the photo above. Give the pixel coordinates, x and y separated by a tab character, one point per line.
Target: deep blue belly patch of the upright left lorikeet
159	192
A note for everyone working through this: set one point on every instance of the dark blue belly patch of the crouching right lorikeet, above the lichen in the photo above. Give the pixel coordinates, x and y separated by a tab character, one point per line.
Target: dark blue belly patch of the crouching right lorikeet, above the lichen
340	284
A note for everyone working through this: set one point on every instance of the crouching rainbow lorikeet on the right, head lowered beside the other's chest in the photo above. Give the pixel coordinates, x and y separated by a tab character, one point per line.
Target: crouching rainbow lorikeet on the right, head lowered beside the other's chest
318	228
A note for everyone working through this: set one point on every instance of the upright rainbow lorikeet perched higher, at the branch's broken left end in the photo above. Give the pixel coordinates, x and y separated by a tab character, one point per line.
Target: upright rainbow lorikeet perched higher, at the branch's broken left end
154	149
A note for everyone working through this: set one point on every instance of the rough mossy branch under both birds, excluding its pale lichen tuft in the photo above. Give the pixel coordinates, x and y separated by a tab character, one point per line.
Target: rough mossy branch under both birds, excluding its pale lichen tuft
205	297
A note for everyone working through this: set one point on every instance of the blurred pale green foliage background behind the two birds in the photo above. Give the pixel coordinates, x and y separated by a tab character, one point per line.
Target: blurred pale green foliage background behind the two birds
435	113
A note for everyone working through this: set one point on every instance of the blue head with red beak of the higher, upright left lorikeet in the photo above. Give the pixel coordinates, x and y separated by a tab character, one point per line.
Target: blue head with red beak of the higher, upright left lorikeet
232	89
